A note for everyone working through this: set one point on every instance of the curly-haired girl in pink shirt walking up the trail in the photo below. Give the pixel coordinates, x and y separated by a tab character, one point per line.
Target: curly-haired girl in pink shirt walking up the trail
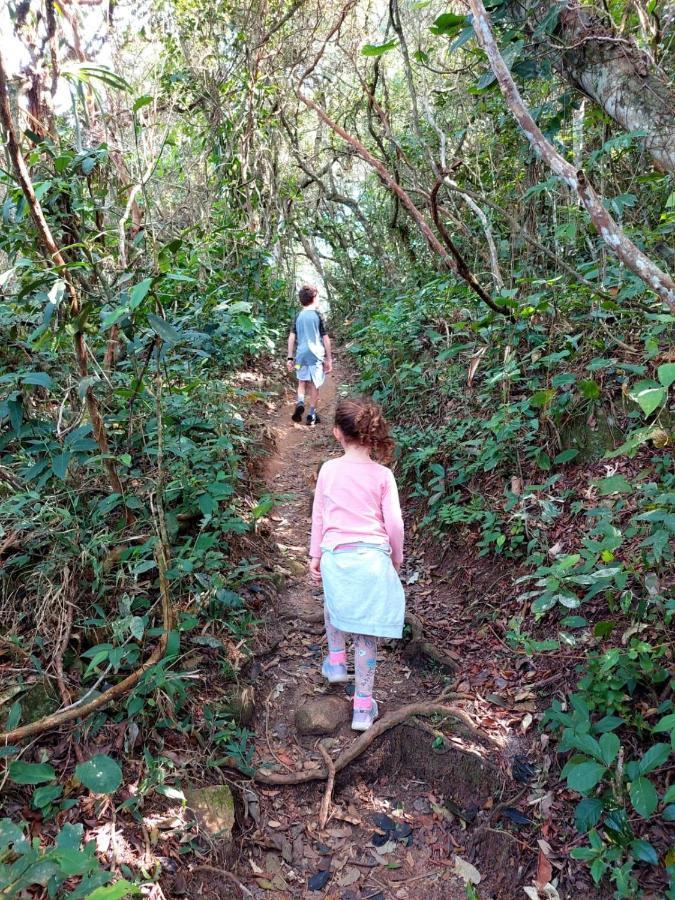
357	550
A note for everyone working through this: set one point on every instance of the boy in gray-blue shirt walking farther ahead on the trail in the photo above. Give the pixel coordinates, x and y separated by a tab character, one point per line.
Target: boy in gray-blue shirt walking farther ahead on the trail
309	353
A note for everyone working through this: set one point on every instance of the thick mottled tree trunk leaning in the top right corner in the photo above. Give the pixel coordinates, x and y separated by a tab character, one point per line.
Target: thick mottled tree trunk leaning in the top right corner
611	70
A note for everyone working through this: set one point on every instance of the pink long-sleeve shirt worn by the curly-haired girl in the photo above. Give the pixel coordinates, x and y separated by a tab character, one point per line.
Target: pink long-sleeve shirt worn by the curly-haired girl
356	500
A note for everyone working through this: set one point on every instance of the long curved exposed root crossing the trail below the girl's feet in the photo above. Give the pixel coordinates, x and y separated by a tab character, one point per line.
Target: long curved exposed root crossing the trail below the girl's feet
391	720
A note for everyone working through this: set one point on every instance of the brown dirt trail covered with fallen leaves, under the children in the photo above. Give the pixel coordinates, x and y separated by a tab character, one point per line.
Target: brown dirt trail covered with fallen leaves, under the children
431	784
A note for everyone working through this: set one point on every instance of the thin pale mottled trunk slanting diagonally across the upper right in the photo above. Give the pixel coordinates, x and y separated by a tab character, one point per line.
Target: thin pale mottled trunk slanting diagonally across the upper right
611	233
